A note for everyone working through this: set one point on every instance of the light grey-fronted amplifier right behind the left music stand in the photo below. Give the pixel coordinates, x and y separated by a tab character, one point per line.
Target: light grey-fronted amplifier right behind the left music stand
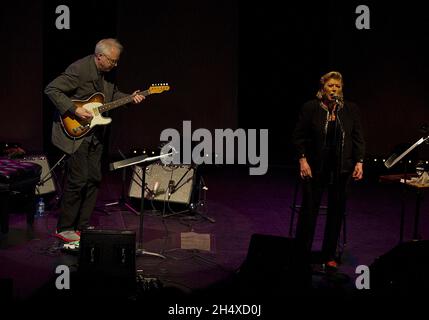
158	179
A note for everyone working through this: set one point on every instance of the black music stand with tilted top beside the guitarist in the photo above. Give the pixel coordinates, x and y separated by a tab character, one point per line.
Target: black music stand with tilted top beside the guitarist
144	161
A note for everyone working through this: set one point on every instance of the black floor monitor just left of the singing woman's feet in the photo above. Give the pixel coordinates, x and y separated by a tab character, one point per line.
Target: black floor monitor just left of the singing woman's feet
276	260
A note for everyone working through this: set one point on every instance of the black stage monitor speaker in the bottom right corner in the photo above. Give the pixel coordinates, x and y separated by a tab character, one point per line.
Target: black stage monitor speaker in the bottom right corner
404	269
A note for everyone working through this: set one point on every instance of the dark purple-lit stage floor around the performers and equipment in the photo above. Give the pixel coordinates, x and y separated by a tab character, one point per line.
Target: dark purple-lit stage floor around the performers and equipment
202	253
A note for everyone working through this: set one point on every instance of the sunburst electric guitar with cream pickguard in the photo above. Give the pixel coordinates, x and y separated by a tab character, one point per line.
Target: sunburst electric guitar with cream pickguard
76	128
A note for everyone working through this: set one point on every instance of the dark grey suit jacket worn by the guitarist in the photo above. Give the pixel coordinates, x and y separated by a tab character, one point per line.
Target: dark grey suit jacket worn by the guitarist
79	81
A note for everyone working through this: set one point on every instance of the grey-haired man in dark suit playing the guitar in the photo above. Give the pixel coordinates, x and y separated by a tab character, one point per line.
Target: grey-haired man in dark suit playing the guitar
78	82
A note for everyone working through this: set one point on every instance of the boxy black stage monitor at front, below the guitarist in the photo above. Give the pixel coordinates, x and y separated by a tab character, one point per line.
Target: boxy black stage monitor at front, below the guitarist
107	254
